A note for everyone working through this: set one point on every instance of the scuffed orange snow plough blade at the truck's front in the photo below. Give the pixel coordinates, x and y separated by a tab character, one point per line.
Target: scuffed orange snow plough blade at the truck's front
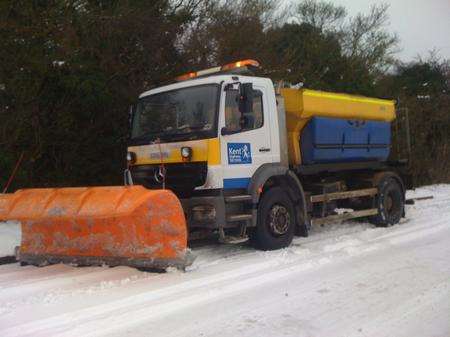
123	225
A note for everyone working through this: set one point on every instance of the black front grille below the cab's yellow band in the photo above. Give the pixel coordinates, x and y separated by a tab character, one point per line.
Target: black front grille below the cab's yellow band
181	178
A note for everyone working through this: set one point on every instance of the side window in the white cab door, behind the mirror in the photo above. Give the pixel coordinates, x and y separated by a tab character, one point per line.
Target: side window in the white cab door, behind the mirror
235	121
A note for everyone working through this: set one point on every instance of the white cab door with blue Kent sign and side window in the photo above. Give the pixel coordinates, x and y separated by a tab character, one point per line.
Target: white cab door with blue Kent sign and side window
249	146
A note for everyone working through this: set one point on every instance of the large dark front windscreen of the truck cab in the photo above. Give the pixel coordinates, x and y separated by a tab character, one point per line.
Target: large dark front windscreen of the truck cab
185	111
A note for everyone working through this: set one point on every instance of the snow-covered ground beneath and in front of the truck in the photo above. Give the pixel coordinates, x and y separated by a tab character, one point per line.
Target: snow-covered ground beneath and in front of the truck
349	279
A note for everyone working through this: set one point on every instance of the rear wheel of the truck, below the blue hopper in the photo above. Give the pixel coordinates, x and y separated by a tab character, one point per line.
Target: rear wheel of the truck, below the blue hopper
390	203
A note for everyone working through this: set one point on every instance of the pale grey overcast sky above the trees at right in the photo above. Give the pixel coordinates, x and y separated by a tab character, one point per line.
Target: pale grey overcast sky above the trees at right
422	25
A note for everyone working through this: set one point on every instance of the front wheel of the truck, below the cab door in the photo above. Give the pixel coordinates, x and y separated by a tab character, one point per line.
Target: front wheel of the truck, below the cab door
276	221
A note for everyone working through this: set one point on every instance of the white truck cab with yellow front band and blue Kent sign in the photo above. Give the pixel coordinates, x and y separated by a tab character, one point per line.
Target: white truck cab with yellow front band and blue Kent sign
236	144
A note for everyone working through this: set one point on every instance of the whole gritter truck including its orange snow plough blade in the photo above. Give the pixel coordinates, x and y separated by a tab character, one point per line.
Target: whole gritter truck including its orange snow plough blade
226	153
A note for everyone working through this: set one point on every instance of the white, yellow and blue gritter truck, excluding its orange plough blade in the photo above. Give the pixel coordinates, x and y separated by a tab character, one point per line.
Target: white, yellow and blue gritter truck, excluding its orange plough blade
250	159
